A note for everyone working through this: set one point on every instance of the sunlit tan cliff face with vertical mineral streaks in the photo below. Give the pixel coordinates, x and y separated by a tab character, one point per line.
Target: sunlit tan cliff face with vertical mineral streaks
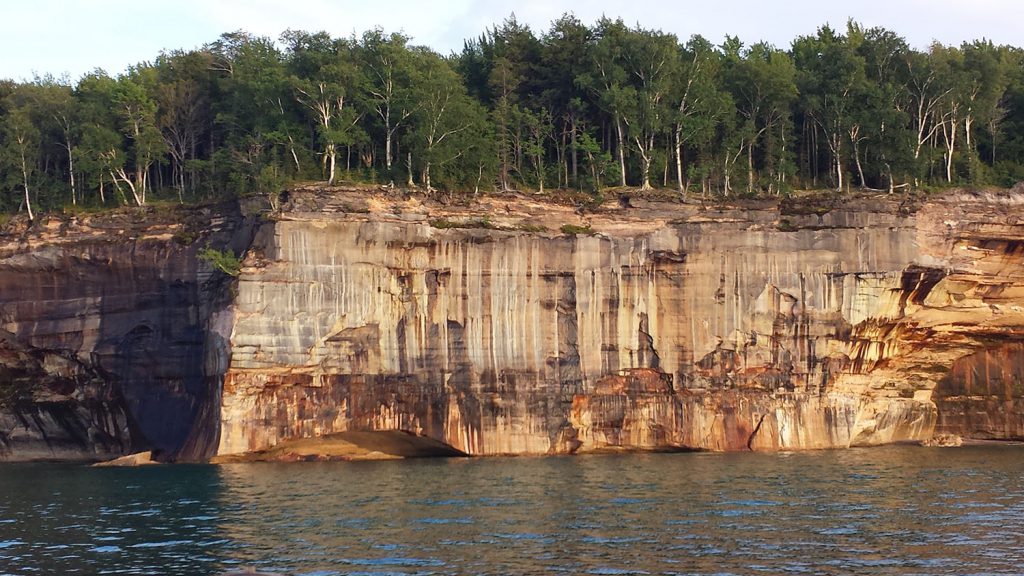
672	327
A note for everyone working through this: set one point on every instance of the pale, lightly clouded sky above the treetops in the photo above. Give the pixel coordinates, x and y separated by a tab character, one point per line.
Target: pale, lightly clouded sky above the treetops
72	37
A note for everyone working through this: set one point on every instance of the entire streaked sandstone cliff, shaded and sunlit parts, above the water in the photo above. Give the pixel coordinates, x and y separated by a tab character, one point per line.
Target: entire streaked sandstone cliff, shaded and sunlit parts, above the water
487	331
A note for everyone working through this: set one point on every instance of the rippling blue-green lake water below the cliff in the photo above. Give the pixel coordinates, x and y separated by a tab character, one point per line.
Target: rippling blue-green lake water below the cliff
891	511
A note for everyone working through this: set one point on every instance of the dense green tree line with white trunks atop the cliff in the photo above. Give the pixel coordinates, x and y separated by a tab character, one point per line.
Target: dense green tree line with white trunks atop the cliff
576	107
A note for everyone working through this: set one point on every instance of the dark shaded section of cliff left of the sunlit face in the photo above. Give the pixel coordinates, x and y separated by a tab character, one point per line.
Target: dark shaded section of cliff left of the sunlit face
106	340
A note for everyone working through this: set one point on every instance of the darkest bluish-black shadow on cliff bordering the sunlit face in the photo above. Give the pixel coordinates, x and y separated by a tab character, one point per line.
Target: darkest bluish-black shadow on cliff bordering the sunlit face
157	346
